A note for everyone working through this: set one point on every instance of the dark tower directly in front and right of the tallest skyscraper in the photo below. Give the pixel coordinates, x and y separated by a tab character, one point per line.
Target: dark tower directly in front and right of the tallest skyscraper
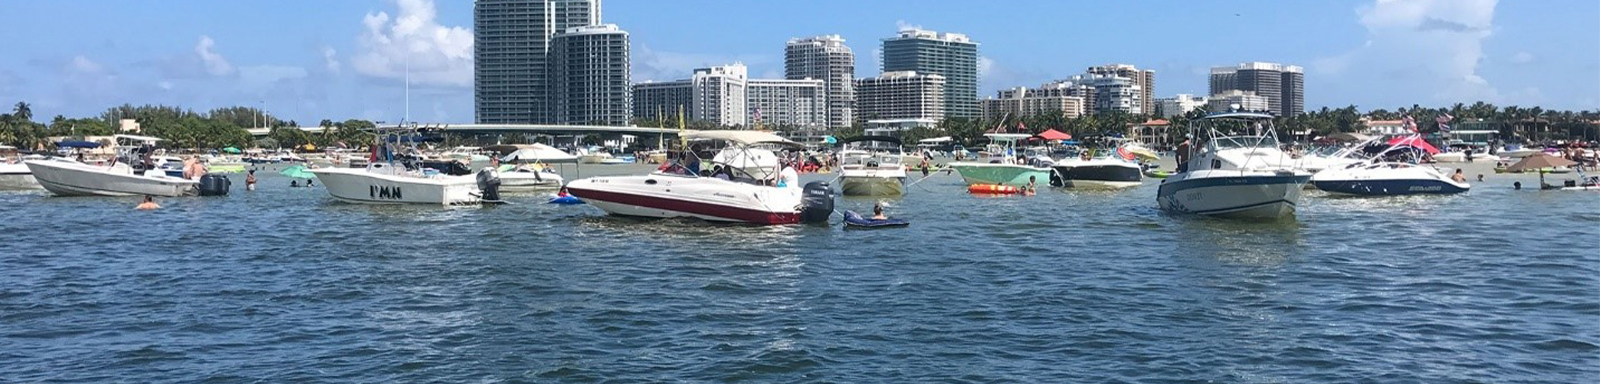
591	74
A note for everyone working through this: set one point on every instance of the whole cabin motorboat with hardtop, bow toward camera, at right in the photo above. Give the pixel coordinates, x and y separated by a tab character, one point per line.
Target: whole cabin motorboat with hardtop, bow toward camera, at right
1242	175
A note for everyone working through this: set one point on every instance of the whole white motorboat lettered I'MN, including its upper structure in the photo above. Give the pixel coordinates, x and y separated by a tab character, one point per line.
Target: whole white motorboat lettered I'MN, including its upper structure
396	182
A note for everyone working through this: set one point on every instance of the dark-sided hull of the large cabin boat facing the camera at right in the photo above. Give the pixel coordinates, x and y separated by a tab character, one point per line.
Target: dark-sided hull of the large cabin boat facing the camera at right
1239	198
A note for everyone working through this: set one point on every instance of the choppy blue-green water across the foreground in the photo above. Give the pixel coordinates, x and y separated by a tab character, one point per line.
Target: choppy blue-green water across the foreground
286	286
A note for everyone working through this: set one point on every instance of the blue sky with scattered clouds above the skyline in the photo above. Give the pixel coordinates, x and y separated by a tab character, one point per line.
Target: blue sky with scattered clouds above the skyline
311	60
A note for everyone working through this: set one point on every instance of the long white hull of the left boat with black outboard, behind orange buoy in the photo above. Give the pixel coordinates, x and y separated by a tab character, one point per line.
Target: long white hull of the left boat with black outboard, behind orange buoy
65	178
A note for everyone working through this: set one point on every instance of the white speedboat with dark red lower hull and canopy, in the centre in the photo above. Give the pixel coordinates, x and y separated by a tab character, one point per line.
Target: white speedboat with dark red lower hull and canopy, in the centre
729	194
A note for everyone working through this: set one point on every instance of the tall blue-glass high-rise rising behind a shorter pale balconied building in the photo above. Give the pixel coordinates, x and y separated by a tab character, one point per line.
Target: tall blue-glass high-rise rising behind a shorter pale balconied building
953	57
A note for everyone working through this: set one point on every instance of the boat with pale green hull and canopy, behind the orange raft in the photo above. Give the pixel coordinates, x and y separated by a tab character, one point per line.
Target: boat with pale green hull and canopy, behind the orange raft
1001	166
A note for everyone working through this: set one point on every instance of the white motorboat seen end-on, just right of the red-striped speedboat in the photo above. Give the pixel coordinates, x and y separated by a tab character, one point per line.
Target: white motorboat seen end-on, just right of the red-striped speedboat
873	167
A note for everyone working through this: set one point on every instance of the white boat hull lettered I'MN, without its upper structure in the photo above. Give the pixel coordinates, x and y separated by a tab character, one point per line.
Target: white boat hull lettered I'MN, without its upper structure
361	186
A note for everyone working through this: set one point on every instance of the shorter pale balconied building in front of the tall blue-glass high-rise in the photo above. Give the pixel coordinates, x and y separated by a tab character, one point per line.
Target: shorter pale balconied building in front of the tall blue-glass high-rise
900	95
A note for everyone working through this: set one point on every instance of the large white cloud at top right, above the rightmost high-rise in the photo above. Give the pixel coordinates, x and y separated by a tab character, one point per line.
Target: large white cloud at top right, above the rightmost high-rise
1417	46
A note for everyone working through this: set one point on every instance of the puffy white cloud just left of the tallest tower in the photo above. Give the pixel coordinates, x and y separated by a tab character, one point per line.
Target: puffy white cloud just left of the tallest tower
436	55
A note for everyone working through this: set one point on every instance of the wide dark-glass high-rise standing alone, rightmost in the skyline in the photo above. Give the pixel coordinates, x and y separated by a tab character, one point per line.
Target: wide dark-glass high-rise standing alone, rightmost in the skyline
1282	86
